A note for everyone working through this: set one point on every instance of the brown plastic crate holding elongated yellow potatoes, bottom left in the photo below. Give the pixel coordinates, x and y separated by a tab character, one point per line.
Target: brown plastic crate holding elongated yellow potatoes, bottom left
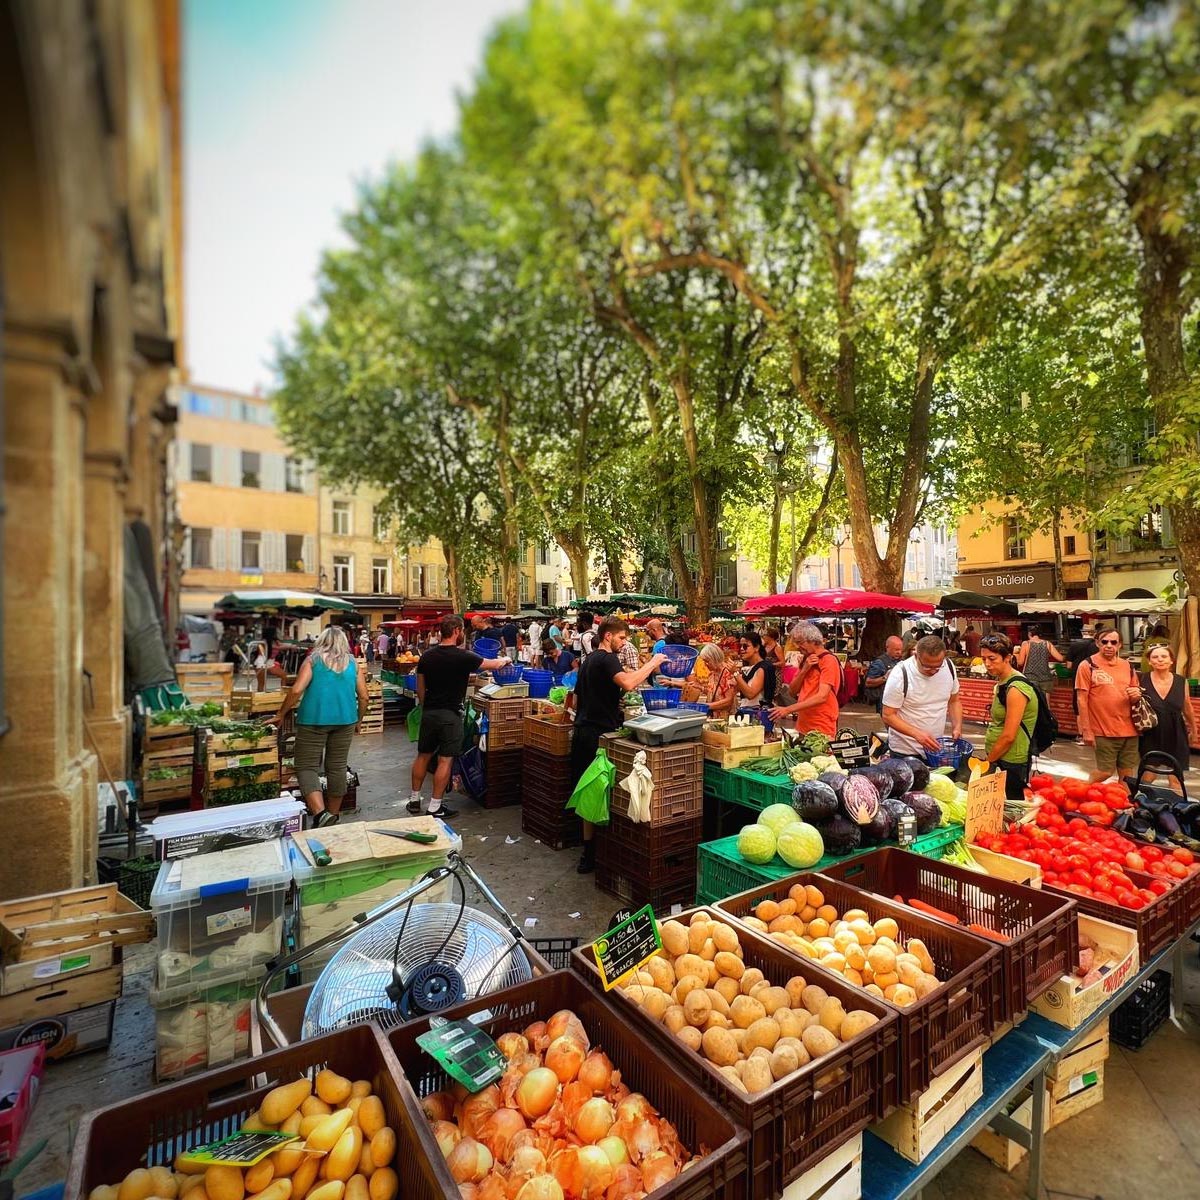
152	1130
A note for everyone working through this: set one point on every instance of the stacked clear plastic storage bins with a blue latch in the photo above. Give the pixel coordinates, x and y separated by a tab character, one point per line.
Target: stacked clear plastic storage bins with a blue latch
220	921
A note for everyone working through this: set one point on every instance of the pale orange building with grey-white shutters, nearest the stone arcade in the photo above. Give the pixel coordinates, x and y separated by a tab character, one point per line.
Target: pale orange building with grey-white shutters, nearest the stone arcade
248	507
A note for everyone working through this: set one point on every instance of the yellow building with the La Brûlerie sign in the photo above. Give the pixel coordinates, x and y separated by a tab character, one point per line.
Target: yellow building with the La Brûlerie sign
999	557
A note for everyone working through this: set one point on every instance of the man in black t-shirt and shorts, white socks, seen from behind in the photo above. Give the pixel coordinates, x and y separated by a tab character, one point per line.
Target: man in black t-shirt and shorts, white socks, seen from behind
442	679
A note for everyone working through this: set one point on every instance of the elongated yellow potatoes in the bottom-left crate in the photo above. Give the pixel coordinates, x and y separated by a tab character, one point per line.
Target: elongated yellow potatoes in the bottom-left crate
346	1154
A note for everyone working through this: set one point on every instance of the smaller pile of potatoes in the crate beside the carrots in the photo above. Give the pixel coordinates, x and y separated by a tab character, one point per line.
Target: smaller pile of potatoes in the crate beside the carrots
866	953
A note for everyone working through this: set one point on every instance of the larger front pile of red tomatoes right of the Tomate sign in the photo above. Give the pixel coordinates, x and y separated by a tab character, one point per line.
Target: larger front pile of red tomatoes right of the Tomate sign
1091	861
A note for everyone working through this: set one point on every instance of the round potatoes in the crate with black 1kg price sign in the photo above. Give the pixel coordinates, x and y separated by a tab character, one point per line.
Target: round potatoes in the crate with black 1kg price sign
753	1031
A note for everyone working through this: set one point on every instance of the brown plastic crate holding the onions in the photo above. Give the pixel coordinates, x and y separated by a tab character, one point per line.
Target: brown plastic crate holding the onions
644	1069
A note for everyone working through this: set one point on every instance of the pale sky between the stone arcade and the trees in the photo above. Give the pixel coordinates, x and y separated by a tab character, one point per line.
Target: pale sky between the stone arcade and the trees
287	105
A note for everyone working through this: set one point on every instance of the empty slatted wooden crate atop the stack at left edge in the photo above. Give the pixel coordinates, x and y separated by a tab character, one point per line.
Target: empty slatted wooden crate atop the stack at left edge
62	922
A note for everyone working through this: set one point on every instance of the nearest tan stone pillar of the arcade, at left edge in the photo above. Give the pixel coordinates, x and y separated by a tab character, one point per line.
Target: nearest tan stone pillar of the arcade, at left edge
47	776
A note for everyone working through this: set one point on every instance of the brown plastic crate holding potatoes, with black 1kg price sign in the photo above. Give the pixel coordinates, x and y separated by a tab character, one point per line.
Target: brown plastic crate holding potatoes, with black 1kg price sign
809	1114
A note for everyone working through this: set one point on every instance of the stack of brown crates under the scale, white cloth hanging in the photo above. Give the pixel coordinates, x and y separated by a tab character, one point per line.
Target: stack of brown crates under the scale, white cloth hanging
653	862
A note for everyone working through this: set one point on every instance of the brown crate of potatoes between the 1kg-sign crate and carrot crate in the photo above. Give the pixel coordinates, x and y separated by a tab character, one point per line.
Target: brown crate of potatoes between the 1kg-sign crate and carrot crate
939	1029
